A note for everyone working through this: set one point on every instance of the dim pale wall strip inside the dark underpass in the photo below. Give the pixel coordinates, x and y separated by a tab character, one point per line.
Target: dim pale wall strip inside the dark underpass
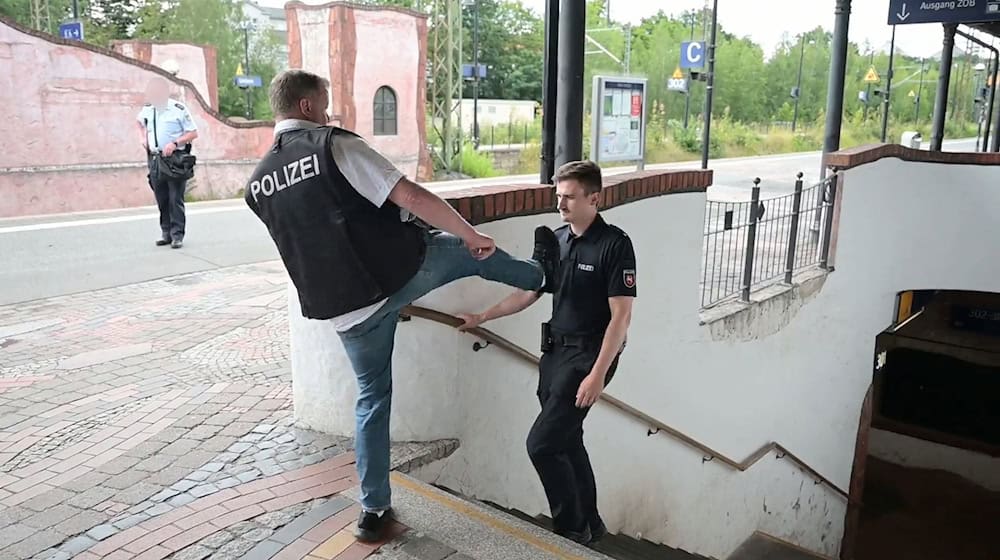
907	451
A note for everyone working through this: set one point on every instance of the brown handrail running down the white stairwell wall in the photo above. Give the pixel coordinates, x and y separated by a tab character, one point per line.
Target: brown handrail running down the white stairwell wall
657	426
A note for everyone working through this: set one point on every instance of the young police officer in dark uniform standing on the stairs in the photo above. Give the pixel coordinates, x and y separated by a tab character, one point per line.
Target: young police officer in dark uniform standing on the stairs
591	310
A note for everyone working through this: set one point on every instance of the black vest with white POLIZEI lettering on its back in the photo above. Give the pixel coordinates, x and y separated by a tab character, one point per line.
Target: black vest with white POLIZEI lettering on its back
341	251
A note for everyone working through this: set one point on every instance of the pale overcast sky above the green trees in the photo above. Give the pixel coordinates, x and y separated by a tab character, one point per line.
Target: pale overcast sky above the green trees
767	21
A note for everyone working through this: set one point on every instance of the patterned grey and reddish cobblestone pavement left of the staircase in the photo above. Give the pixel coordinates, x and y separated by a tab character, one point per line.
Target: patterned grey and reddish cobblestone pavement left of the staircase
154	421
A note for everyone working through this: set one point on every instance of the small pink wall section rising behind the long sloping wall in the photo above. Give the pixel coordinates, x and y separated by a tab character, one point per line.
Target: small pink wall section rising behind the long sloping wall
197	63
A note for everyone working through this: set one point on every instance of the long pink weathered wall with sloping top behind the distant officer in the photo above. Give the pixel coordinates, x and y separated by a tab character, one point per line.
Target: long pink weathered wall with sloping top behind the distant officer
72	109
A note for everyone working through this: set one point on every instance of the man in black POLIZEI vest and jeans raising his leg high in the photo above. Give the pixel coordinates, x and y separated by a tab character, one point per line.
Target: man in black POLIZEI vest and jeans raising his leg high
353	234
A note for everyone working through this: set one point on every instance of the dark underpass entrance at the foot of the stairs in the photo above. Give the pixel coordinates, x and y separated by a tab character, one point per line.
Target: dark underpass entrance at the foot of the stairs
926	481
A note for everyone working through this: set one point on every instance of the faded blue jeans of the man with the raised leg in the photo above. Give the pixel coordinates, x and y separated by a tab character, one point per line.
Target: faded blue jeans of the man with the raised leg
369	347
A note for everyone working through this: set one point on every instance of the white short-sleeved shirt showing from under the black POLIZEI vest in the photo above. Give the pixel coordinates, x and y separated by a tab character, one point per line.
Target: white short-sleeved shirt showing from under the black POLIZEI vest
372	175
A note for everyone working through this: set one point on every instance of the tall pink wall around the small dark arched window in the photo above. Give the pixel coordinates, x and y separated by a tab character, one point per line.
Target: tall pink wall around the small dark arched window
359	49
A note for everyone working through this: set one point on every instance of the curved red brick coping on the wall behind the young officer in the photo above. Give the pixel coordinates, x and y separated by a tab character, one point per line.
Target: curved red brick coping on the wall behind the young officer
485	204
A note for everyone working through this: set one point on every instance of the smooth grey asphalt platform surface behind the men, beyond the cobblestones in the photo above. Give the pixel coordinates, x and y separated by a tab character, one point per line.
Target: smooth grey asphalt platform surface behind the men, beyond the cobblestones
49	256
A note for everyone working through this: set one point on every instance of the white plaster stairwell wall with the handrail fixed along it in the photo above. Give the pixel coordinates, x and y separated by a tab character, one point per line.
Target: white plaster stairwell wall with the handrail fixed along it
798	378
